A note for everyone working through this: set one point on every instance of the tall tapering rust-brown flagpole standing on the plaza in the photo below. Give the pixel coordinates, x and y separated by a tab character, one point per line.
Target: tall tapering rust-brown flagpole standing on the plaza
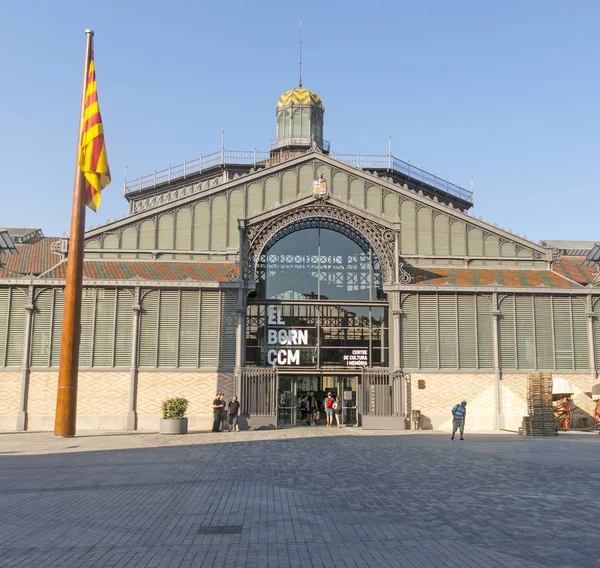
66	401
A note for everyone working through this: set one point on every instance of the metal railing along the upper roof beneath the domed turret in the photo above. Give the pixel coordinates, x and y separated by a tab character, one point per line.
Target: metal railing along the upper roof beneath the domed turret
256	158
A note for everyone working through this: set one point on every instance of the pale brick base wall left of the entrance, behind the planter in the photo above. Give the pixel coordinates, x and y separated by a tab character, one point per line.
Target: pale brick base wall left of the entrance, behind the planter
103	398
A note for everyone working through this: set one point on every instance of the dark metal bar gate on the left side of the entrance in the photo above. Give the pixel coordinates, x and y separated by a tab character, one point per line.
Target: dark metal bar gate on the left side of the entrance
257	387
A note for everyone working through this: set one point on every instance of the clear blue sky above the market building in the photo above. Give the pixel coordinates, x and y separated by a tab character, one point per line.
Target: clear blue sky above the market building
506	92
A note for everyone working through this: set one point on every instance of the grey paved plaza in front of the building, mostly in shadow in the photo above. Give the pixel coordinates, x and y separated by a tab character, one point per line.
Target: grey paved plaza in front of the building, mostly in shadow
307	497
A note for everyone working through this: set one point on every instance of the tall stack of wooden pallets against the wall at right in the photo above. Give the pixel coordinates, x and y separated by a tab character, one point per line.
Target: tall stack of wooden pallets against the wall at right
540	421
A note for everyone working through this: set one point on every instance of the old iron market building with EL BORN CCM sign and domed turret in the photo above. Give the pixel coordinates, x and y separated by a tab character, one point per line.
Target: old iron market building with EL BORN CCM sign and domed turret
270	274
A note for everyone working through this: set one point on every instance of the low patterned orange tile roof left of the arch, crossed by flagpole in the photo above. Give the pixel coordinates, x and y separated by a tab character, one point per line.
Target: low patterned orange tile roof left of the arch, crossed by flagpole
150	270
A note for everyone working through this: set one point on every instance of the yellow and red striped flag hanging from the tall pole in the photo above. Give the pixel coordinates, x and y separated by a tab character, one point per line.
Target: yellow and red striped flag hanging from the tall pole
92	153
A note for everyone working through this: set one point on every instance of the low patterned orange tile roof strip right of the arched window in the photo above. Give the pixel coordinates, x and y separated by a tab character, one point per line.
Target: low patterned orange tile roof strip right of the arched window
435	276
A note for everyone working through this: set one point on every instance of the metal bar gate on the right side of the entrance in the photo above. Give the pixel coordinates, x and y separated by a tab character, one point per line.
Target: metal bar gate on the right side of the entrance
385	399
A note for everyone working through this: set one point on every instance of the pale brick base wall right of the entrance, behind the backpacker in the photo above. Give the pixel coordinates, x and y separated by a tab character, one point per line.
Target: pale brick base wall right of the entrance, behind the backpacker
443	390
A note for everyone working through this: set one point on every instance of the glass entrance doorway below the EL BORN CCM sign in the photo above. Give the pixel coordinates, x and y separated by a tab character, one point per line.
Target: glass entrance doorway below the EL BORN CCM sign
293	389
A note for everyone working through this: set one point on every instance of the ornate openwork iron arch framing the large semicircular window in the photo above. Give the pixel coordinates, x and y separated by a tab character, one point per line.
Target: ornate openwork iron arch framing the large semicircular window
367	234
